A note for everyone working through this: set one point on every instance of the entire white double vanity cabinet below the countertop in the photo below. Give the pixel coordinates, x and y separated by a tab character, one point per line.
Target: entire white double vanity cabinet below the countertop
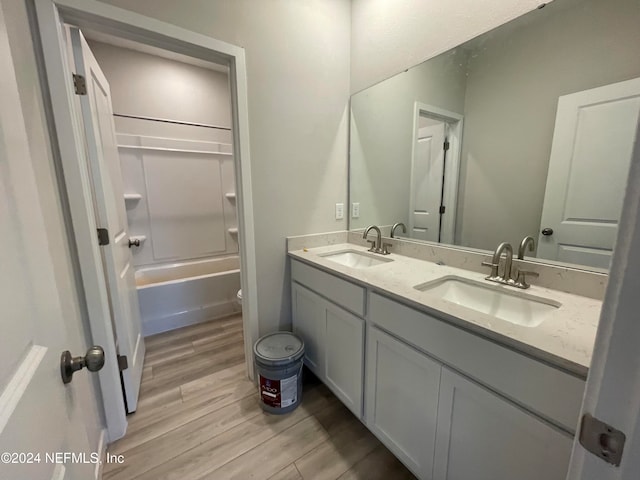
449	403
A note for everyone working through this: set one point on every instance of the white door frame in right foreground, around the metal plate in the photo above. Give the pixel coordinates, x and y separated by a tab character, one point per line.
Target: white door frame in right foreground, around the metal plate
613	386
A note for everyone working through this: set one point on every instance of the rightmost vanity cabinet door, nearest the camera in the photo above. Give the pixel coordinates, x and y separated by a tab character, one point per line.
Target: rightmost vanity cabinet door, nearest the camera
482	436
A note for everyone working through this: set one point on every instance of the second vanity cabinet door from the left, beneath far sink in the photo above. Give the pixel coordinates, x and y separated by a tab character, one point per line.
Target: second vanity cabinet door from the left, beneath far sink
344	356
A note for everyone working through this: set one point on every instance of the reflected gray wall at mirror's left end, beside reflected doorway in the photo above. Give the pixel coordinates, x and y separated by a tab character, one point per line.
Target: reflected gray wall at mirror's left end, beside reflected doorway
382	134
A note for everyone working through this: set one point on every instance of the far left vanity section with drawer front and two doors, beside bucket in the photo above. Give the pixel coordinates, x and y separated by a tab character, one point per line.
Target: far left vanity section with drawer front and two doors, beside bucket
333	337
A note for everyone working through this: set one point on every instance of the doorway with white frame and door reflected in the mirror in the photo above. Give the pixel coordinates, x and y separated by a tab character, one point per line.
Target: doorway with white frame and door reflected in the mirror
435	165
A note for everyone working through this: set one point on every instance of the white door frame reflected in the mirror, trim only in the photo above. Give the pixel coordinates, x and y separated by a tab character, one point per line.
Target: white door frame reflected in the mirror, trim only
455	122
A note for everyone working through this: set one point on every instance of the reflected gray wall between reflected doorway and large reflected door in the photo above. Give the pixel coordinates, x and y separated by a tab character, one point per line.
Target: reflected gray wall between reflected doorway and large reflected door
515	79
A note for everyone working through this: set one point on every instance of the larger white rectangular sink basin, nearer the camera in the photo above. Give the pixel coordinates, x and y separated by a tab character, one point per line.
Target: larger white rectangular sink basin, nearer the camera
517	307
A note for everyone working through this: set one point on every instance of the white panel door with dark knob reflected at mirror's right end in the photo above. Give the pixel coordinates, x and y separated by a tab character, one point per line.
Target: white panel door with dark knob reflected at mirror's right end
589	164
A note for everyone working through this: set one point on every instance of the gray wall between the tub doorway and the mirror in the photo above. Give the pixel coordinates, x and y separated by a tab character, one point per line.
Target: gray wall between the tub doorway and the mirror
298	80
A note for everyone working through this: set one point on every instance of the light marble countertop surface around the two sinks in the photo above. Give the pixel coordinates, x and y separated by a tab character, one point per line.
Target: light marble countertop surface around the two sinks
564	339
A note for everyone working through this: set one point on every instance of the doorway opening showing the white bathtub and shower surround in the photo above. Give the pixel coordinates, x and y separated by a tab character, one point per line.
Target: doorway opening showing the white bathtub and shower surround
172	119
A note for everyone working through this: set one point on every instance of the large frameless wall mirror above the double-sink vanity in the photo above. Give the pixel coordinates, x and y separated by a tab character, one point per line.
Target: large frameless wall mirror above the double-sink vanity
526	130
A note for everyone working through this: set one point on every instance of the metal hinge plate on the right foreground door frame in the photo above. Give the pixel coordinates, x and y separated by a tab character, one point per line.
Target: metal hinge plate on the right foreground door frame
601	439
